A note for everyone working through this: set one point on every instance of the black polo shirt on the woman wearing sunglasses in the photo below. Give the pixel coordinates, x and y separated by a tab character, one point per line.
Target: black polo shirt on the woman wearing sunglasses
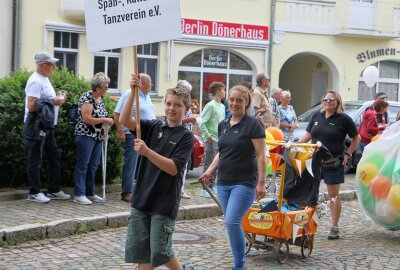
332	131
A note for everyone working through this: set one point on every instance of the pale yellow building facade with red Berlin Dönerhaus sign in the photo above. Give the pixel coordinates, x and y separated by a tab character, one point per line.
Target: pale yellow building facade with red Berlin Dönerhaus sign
305	46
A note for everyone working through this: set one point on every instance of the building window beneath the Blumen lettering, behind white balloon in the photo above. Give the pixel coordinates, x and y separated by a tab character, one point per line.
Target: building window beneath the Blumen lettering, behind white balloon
388	82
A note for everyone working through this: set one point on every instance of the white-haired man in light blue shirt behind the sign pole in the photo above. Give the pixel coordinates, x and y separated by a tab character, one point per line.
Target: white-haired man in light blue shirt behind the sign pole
147	112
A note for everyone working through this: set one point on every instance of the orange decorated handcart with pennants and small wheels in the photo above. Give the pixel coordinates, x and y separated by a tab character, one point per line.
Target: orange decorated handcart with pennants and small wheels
278	227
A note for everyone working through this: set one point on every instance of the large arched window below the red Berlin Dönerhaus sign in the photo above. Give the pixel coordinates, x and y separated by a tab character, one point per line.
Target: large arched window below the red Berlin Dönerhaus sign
205	66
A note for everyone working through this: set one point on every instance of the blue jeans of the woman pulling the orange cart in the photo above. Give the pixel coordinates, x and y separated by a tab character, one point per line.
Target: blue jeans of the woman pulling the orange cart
235	201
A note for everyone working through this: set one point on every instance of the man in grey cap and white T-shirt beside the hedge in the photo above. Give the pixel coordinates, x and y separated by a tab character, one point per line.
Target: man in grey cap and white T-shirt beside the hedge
39	90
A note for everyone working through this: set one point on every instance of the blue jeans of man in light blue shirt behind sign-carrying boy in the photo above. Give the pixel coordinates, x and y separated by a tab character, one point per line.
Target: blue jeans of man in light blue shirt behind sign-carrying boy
130	163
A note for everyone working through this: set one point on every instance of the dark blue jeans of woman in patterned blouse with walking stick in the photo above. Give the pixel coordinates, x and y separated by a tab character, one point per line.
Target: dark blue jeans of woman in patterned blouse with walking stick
88	154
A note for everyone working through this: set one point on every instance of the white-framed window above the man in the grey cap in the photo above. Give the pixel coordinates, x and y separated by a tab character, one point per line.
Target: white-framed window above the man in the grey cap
66	49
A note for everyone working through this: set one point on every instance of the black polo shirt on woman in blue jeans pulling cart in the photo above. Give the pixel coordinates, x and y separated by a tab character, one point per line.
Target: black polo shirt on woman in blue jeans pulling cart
237	156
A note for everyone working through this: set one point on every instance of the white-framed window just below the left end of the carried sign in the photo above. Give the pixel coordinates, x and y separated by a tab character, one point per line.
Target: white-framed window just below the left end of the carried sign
108	62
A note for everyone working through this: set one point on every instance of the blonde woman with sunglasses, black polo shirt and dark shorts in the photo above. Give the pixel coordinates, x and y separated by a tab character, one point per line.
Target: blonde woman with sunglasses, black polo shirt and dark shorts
330	126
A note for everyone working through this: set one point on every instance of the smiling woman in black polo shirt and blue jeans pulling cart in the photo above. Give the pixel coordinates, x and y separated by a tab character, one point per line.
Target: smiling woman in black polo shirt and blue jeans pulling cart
241	168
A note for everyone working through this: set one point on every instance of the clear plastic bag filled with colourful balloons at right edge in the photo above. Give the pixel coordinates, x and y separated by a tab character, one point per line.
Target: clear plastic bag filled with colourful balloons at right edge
378	179
